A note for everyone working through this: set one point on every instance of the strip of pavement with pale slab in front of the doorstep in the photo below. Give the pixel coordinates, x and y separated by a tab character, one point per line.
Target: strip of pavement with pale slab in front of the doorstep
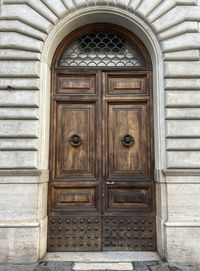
96	266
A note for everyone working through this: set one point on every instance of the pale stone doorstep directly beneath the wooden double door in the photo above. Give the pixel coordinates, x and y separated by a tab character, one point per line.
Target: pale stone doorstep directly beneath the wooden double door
116	256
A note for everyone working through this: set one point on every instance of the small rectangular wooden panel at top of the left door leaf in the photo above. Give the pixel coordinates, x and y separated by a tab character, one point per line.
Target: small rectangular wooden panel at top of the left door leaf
77	84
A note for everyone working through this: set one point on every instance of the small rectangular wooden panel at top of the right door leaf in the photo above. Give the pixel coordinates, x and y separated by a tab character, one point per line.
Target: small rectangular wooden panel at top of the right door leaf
127	84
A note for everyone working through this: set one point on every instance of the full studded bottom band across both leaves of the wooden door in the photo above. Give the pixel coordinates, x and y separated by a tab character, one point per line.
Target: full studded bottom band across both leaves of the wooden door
84	233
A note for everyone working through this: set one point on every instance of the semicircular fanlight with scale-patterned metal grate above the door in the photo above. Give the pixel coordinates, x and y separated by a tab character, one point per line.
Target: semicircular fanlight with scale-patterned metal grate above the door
102	49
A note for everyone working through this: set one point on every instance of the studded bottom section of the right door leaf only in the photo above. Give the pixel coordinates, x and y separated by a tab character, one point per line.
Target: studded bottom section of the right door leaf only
129	233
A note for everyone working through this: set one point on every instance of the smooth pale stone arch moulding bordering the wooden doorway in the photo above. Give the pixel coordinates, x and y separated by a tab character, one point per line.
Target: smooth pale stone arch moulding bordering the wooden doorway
137	26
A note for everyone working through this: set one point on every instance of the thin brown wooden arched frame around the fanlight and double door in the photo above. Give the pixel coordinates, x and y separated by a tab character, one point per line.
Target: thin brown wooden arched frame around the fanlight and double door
61	70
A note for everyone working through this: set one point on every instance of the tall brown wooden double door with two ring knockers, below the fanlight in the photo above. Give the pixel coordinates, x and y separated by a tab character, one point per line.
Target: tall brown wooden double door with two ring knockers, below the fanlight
101	188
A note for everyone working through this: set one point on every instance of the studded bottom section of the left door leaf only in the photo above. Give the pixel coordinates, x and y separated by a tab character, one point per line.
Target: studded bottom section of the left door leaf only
74	233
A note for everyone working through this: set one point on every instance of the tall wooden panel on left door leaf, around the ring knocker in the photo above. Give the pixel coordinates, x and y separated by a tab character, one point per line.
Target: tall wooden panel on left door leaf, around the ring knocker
76	119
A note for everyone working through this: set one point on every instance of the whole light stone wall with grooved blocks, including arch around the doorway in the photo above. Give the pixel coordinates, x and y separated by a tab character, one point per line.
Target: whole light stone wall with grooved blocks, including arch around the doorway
30	32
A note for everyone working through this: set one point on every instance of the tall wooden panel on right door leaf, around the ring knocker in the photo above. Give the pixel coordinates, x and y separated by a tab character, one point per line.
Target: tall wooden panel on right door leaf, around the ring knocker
127	119
